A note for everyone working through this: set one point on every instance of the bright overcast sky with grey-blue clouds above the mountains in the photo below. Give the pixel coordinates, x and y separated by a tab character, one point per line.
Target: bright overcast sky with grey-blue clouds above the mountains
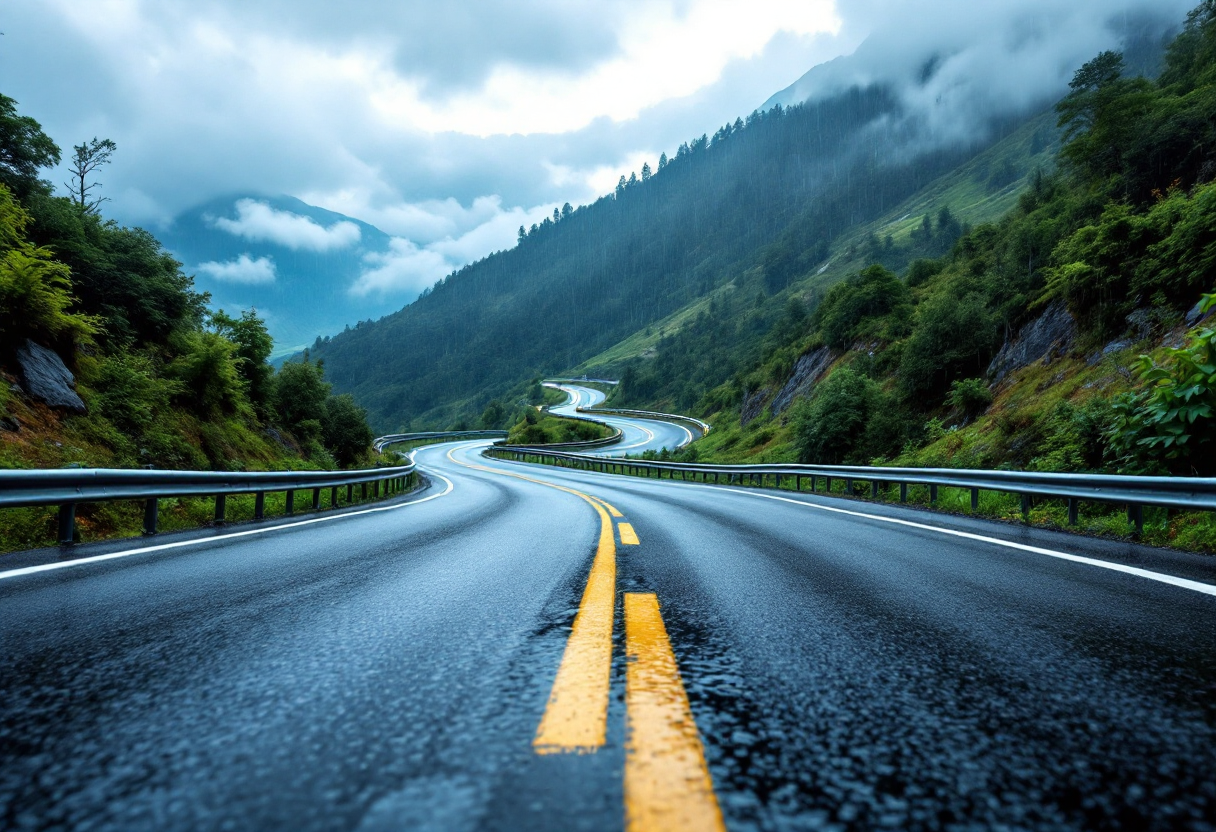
449	125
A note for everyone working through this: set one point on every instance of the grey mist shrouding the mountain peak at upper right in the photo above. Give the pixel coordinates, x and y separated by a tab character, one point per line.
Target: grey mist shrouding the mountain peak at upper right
959	69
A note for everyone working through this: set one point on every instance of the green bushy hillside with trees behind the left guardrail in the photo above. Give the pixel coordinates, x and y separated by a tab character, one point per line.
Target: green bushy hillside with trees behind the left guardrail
139	372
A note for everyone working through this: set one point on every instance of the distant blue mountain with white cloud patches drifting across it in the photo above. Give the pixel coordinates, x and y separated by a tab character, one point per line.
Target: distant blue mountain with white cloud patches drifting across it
297	265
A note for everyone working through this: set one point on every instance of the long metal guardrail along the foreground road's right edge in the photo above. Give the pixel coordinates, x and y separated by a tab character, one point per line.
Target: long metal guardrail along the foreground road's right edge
1181	493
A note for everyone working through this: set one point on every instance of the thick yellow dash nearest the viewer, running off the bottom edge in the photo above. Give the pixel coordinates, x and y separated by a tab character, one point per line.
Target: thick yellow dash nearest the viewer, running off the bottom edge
668	788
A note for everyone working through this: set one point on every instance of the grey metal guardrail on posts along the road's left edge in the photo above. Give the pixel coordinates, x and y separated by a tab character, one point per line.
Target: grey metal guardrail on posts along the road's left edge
70	487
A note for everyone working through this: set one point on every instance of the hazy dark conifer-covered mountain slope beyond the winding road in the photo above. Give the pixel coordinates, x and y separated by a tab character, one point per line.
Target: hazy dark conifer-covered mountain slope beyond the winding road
772	193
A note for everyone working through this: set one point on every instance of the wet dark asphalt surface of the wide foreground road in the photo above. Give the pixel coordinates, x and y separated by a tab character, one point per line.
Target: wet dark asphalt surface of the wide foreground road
389	671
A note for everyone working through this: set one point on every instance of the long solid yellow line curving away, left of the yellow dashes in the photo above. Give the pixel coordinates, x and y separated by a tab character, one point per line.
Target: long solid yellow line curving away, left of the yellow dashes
577	716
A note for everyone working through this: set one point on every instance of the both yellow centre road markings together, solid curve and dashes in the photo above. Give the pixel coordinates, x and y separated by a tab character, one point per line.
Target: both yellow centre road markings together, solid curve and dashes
668	786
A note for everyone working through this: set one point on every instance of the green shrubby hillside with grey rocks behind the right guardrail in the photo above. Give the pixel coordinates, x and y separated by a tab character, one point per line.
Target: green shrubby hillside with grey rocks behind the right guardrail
1071	335
